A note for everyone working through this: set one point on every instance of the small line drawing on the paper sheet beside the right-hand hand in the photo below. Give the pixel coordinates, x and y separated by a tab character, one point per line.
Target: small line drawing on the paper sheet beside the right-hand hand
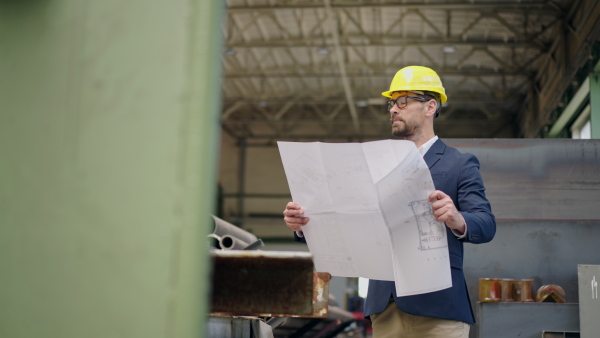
431	232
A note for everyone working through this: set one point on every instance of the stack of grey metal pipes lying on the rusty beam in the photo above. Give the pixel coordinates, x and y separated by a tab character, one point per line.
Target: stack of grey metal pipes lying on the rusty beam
227	236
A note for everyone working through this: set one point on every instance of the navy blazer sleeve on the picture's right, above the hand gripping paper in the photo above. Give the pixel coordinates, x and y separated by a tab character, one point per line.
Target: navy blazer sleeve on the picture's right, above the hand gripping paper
473	204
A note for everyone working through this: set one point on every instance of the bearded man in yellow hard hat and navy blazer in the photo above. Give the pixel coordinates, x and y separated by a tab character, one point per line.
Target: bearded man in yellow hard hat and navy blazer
416	94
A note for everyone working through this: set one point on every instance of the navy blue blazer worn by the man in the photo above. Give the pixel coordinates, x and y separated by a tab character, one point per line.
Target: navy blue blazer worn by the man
458	176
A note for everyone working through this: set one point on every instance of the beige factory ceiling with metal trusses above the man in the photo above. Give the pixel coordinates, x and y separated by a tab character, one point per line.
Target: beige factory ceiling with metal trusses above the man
312	70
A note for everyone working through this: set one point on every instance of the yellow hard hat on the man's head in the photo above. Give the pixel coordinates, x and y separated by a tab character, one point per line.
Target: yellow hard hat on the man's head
417	78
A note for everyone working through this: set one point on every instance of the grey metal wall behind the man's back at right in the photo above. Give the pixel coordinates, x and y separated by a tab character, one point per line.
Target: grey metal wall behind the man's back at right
545	195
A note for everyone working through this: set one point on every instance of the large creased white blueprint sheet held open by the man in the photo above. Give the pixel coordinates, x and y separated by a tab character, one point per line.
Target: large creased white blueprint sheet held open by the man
368	210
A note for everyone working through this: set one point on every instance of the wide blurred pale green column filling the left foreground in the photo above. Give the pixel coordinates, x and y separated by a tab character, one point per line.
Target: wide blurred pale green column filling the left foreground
108	151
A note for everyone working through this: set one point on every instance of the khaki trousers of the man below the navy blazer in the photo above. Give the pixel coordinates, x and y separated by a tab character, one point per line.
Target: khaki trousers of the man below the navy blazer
395	323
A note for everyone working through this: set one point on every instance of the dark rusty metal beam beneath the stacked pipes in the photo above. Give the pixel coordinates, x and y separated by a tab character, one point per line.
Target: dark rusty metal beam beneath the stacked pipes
269	284
